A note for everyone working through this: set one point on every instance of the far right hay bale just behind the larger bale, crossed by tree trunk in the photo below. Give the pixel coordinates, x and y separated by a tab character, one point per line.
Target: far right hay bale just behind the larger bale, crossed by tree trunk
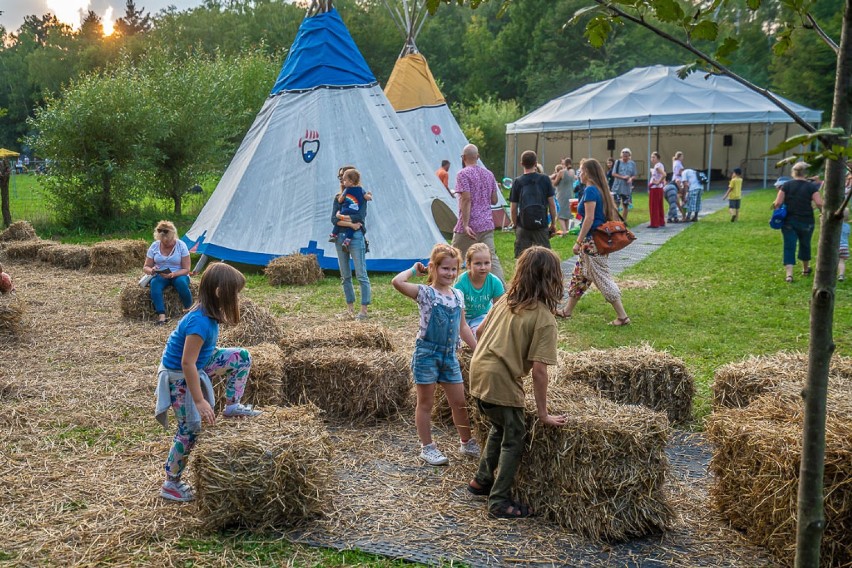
735	385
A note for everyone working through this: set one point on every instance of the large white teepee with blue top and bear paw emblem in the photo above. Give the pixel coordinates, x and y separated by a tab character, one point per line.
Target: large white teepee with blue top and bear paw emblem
326	110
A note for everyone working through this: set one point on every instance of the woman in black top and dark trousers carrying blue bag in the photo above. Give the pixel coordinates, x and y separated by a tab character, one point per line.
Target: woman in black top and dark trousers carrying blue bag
799	195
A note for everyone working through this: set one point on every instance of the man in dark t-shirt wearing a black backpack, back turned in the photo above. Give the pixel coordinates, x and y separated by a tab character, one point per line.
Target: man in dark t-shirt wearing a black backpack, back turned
530	200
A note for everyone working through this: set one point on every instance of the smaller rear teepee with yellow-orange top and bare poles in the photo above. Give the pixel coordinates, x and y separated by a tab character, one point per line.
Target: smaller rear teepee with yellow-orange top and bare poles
418	101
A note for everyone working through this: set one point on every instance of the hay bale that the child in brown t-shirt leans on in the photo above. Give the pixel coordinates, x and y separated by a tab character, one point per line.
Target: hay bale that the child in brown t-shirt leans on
603	474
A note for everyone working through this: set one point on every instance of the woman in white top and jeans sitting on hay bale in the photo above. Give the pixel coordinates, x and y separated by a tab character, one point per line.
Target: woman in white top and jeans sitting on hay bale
168	262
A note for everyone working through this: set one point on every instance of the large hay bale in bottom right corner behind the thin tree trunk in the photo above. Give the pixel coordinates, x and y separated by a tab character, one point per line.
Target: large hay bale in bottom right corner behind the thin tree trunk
755	467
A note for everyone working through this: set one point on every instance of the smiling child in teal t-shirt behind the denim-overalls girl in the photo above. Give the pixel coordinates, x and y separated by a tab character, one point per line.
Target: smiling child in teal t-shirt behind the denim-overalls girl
479	286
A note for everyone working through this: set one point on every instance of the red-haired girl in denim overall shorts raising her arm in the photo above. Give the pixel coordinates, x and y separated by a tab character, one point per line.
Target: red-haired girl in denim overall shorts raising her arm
434	361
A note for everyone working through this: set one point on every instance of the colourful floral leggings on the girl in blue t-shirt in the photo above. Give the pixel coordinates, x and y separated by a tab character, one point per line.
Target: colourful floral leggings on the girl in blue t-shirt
228	364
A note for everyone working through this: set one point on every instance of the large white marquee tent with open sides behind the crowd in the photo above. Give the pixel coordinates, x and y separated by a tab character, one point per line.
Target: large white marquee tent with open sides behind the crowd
718	123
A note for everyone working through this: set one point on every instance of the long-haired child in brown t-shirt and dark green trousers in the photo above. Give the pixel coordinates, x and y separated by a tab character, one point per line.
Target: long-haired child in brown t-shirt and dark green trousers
521	328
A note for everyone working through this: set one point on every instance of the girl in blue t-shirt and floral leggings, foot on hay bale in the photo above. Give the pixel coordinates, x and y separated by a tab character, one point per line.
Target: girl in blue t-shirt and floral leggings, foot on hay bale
190	361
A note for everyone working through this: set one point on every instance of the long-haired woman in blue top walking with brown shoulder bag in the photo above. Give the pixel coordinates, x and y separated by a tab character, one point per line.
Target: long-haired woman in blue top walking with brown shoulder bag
596	207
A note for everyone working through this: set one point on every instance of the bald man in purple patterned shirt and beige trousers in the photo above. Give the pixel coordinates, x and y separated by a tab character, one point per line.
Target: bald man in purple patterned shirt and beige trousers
476	189
